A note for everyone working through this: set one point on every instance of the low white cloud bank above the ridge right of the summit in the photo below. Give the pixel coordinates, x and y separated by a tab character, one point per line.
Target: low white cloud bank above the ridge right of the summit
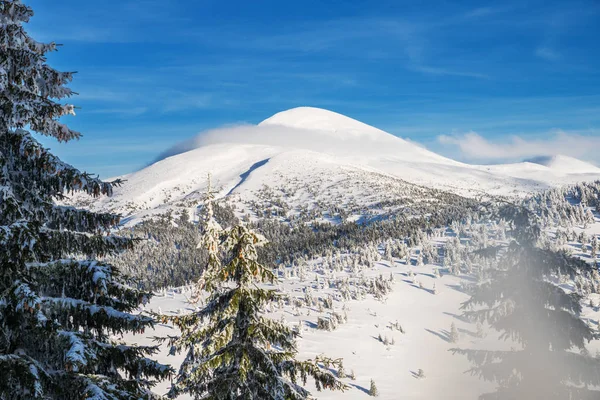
472	146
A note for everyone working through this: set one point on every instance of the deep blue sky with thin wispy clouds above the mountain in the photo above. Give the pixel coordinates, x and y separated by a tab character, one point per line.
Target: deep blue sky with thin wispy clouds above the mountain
521	77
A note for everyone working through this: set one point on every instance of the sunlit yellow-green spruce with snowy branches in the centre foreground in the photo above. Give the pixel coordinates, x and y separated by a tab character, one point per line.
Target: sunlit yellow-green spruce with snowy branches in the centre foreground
233	351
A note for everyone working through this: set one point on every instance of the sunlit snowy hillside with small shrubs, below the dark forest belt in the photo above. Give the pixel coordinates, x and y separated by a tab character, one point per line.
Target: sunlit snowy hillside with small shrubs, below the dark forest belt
387	339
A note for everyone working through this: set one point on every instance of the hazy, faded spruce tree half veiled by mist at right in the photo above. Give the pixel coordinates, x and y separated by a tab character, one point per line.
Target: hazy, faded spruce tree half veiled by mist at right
522	301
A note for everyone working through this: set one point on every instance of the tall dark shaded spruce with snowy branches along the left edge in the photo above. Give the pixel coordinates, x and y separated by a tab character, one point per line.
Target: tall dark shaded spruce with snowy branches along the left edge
58	305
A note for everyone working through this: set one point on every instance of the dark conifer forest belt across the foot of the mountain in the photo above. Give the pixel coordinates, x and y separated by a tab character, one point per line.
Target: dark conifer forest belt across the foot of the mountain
167	255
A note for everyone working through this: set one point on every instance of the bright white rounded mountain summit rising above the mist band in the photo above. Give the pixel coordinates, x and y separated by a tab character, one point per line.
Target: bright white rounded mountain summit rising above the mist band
319	119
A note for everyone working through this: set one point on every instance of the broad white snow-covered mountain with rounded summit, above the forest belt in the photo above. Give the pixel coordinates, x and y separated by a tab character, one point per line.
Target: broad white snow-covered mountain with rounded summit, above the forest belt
318	154
